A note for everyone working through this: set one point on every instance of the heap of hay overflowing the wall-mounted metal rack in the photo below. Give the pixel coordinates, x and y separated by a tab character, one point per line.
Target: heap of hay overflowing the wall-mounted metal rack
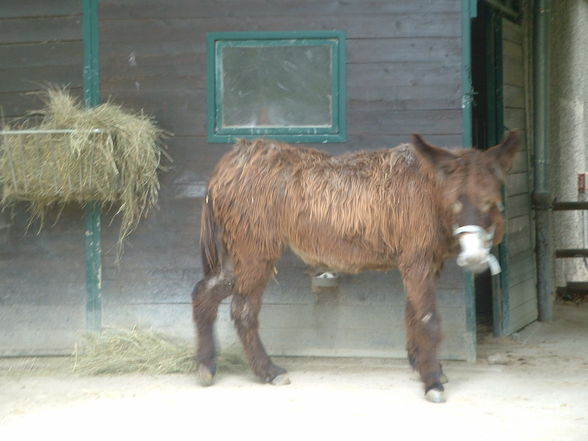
111	156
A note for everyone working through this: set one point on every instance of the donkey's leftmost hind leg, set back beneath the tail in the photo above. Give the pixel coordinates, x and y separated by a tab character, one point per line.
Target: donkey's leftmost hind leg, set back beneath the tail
206	297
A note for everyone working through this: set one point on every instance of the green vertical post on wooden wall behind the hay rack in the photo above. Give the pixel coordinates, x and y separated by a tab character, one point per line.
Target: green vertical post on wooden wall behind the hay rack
93	251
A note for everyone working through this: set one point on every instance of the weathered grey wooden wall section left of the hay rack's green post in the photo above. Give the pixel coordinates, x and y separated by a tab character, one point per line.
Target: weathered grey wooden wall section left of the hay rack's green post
41	275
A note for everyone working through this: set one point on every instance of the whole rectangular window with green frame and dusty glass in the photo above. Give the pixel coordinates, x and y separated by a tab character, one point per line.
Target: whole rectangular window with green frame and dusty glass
283	85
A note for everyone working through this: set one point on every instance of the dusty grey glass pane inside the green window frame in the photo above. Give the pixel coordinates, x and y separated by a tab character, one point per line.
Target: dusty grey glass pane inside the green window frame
278	86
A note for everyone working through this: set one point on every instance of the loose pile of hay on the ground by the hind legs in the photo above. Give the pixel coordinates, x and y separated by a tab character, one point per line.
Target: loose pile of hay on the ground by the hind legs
116	352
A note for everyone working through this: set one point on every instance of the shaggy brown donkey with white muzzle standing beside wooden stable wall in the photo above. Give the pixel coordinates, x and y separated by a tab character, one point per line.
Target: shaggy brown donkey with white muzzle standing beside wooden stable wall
408	207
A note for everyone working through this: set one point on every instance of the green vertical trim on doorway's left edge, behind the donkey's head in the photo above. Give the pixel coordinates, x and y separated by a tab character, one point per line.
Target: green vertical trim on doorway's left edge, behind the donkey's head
467	13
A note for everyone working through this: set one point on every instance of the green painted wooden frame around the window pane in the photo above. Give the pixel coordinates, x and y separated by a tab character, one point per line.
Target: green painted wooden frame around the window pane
333	131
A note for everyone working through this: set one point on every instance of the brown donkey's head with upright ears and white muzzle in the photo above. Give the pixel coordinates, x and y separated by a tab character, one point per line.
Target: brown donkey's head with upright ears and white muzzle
470	186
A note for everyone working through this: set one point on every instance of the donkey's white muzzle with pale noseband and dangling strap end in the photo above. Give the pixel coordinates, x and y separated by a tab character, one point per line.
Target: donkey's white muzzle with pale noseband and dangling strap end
475	243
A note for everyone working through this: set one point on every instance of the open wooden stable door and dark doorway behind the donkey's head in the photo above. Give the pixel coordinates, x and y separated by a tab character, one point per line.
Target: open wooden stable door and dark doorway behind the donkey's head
506	302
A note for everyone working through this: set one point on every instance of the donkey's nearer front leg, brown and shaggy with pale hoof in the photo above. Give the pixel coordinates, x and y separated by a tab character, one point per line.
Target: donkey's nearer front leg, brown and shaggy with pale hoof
424	329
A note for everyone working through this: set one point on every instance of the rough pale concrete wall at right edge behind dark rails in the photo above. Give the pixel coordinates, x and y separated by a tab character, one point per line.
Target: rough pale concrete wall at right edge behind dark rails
569	128
